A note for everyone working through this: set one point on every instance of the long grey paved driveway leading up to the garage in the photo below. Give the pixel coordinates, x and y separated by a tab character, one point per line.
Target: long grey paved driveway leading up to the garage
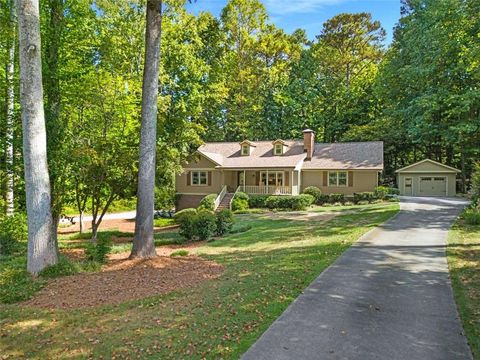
388	297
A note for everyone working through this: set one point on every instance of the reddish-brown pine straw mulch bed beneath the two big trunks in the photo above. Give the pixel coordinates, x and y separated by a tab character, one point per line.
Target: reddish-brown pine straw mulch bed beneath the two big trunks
123	280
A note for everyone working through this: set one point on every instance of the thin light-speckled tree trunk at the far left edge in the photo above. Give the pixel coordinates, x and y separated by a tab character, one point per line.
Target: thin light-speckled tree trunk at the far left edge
10	113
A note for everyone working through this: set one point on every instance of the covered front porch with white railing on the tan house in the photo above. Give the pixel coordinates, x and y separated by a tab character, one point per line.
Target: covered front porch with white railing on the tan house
262	181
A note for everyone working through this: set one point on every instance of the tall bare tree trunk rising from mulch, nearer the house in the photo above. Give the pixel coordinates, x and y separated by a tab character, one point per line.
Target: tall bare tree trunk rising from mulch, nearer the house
143	243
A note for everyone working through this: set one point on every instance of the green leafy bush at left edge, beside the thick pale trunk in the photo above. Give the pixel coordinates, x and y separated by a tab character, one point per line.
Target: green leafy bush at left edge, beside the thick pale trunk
13	231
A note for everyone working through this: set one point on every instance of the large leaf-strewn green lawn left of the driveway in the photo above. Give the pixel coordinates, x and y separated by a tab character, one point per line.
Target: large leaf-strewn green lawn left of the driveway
267	263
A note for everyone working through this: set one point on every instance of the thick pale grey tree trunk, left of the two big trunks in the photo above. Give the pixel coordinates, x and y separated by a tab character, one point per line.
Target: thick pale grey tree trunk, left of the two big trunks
41	243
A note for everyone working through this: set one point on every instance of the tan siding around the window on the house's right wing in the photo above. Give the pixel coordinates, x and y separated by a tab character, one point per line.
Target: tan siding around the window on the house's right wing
363	180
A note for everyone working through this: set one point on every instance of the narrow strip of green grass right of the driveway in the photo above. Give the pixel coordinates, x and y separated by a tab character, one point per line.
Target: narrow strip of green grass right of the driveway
464	263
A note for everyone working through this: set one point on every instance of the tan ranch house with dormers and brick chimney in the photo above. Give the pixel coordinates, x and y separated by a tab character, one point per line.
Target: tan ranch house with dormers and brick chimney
279	167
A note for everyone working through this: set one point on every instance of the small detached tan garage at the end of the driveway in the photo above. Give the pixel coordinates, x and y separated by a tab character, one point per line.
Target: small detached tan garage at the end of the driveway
427	178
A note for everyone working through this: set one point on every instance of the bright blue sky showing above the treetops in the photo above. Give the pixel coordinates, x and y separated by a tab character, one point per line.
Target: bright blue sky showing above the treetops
311	14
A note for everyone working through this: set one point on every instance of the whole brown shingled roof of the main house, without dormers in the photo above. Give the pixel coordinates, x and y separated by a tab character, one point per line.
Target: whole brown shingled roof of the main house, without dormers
354	155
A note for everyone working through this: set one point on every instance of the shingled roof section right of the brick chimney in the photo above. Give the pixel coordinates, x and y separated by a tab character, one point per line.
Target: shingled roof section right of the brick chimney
351	155
